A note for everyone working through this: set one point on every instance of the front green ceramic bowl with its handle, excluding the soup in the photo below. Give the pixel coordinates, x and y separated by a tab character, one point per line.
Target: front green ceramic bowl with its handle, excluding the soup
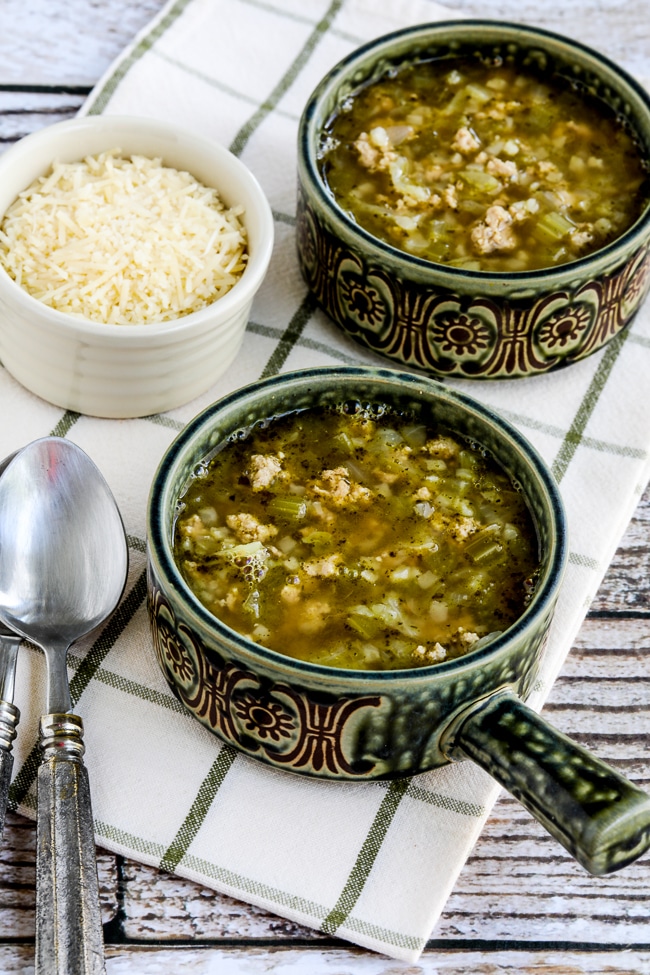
360	725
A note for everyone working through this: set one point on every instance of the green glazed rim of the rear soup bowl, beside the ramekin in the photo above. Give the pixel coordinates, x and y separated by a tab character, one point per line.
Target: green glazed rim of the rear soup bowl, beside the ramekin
308	134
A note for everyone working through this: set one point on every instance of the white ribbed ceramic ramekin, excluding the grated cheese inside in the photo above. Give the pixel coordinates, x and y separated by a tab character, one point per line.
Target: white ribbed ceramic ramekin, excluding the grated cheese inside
129	370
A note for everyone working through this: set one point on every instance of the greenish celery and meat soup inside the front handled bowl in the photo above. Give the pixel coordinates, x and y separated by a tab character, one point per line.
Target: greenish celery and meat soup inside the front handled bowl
357	538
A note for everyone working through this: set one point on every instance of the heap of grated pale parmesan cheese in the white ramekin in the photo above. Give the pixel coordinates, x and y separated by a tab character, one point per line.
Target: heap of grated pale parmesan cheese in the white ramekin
122	241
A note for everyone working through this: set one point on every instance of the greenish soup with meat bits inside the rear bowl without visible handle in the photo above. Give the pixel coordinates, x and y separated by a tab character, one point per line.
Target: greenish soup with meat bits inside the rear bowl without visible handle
482	166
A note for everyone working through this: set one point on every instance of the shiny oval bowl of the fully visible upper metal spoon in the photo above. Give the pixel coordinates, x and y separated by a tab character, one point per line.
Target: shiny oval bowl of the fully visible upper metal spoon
58	523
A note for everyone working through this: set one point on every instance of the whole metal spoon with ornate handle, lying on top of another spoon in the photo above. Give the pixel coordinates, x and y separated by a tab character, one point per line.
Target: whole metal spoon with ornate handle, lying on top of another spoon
63	564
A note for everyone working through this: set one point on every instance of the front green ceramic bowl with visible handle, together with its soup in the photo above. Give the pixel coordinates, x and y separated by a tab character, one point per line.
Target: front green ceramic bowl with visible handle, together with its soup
389	648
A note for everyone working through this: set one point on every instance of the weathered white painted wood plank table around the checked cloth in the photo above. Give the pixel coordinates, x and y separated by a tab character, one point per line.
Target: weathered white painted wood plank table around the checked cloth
521	904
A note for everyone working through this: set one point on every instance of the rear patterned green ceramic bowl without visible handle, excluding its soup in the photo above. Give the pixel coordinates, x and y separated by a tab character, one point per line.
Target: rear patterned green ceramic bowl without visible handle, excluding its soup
449	320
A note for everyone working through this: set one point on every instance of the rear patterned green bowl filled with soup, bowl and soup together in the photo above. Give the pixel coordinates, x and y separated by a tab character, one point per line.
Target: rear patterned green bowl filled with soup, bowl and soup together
473	198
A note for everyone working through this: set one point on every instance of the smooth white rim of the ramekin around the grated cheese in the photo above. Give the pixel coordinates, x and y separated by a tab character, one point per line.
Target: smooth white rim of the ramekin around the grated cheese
229	303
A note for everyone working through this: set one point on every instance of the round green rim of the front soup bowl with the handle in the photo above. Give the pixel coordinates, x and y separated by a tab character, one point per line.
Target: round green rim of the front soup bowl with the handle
160	556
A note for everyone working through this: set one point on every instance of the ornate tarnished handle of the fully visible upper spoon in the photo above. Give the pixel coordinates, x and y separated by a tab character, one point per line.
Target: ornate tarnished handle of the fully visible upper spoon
69	937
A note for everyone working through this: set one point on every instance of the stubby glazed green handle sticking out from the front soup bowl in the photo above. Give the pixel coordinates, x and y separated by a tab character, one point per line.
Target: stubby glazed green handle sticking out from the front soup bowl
600	817
